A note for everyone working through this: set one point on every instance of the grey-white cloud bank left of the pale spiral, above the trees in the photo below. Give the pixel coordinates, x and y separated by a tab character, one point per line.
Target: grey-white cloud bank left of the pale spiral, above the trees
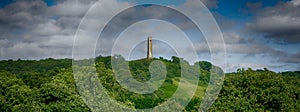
32	30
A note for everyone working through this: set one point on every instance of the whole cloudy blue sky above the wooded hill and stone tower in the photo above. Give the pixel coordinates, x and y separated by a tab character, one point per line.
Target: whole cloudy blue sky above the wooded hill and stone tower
257	33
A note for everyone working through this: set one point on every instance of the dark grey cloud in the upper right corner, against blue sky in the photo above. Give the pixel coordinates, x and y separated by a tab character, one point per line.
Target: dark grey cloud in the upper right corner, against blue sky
280	23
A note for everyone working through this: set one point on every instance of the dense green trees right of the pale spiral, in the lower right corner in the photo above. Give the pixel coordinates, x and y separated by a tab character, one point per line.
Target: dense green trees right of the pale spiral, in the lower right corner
261	90
